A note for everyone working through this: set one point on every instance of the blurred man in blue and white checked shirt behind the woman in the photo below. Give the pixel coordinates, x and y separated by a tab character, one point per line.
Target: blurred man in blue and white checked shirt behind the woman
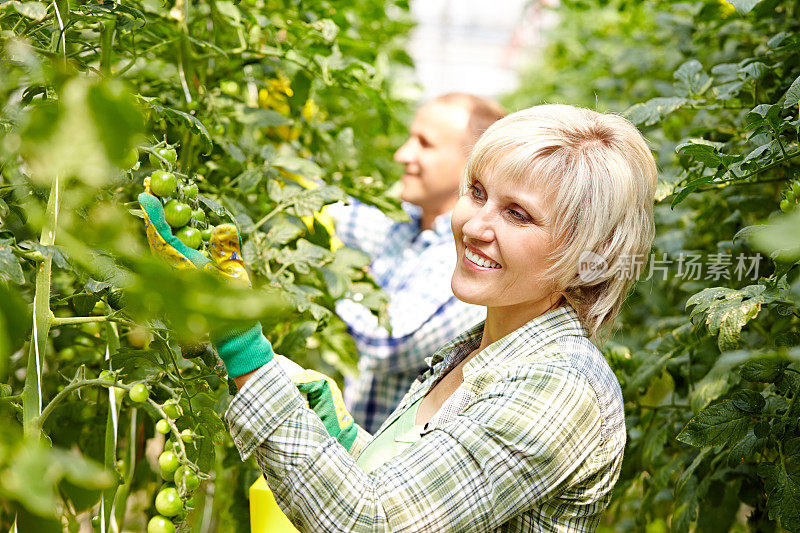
412	261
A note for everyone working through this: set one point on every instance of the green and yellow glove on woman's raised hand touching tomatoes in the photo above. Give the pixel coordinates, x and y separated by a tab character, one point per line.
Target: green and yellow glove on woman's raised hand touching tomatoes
242	350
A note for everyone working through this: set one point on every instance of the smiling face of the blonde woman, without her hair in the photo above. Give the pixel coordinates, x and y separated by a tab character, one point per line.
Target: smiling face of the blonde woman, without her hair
503	240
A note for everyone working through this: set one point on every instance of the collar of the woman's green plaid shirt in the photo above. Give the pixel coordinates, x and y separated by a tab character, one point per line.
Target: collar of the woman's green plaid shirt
537	332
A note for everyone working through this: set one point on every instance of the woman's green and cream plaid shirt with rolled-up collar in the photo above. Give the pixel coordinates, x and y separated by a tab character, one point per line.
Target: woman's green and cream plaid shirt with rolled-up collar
537	447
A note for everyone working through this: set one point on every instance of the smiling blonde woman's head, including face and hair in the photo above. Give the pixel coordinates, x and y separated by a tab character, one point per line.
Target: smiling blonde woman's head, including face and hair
544	187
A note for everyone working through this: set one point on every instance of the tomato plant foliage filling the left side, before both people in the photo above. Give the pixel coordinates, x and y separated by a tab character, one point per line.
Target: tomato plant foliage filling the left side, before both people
275	108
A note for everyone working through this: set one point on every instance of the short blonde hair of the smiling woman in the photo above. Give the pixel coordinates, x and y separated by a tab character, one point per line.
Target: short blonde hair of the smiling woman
600	179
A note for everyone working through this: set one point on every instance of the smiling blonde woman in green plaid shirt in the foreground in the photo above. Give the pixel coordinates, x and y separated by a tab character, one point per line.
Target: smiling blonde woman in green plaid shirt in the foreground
518	423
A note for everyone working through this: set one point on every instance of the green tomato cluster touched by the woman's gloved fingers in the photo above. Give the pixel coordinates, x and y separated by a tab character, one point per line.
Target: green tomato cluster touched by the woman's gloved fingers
182	210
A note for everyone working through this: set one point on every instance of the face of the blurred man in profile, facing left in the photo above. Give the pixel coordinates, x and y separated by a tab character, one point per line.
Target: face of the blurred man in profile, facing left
434	156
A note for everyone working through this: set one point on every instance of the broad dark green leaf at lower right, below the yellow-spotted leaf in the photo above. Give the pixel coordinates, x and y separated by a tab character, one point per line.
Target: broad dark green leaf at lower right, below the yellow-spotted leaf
721	423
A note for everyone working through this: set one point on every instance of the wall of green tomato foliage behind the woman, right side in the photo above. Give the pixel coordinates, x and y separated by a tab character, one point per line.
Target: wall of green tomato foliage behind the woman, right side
708	366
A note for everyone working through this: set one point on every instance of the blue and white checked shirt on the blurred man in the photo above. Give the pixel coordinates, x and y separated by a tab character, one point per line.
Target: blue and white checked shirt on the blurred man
414	268
